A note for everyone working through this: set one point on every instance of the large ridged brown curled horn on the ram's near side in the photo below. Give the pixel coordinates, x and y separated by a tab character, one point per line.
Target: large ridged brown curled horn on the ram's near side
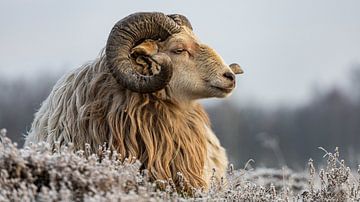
129	32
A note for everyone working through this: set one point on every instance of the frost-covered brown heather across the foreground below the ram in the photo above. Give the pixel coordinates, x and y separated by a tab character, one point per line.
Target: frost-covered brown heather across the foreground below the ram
38	174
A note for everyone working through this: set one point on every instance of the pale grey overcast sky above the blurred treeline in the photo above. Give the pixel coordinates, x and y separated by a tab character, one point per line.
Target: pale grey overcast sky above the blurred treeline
285	47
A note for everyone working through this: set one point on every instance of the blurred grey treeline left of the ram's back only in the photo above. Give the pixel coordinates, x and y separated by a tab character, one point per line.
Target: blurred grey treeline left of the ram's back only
20	97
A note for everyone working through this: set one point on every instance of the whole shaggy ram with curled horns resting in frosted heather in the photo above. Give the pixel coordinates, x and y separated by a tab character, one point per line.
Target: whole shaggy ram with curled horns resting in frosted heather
140	97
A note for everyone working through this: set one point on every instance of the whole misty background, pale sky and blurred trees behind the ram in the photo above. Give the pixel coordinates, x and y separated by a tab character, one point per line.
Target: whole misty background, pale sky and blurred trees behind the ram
300	90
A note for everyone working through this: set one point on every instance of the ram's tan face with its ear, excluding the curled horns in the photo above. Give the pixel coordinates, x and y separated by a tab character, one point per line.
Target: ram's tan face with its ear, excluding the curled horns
198	71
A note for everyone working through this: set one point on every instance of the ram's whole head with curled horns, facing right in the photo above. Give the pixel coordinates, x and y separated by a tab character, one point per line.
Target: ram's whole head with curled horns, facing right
148	51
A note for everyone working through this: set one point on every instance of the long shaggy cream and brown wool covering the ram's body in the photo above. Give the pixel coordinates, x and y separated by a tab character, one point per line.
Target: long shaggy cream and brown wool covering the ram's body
89	106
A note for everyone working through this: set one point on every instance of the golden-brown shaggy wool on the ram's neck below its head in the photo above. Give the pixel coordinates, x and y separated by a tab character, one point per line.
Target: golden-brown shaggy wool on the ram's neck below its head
166	136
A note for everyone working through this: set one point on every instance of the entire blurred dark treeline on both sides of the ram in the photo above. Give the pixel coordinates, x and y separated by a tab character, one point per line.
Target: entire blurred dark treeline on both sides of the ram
272	137
